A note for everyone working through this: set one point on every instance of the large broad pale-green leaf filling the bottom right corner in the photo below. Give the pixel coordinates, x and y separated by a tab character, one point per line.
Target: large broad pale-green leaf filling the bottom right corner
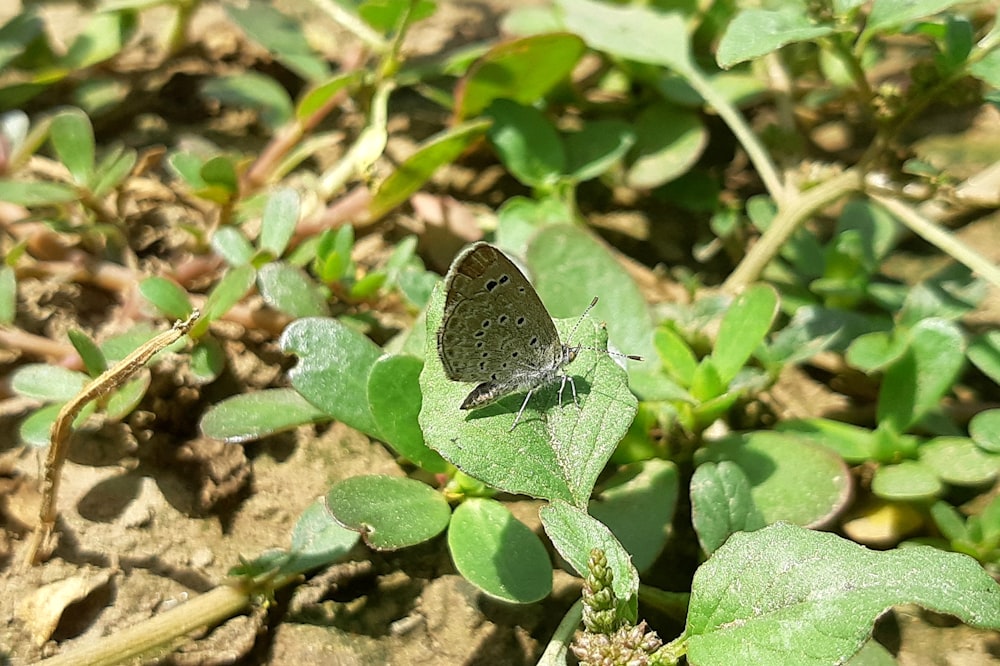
769	592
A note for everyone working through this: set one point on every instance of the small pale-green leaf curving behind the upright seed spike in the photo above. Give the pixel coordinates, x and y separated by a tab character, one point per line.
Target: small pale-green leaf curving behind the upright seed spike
575	533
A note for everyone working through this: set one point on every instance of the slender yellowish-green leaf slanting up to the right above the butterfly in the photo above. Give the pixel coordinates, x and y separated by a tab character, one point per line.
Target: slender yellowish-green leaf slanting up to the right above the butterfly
443	148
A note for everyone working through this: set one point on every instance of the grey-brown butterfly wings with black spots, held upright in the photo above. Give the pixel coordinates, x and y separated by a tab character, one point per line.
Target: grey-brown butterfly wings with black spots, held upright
495	329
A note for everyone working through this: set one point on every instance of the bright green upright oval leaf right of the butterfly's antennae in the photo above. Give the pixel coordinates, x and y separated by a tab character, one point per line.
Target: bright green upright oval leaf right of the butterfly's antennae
743	329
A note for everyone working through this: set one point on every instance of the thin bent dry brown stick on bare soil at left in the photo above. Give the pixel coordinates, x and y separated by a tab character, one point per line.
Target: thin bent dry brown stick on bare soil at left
109	380
